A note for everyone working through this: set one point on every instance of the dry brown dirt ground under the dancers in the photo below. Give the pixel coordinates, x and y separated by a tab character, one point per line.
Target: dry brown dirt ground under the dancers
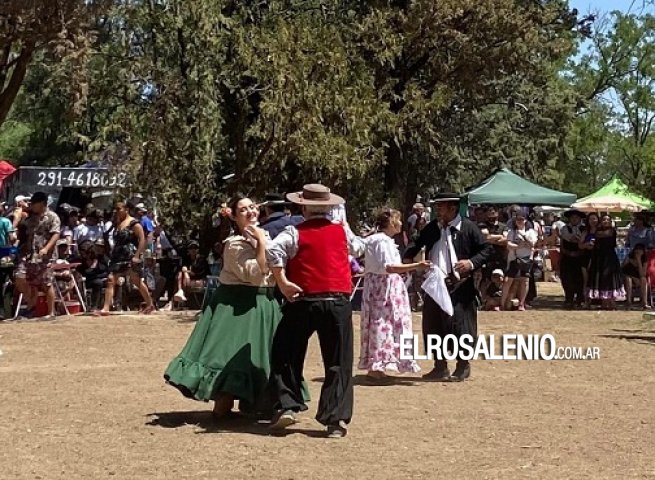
83	397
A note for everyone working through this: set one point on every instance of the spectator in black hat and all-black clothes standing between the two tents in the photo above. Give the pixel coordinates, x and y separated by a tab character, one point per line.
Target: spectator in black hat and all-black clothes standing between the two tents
571	259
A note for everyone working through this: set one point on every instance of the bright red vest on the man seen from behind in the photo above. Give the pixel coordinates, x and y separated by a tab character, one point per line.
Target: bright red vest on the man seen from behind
321	264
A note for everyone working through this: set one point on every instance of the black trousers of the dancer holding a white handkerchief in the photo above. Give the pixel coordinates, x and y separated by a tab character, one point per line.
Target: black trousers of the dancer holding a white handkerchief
437	322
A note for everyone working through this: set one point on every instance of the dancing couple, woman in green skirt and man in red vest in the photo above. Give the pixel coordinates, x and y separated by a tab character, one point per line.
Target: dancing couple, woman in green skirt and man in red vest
246	347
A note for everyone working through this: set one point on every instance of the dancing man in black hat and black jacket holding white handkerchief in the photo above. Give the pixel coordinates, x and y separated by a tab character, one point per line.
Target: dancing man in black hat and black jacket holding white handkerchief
456	246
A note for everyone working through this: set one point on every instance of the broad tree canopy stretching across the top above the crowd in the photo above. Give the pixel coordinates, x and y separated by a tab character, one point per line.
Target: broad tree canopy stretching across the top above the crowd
382	100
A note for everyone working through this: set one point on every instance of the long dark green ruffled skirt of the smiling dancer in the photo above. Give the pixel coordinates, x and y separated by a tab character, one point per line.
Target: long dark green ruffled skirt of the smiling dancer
229	348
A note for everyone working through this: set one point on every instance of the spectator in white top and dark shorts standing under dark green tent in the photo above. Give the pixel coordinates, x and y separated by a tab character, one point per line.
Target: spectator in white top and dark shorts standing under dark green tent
520	243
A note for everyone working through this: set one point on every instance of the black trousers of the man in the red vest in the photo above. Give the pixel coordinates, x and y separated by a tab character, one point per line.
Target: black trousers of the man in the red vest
332	320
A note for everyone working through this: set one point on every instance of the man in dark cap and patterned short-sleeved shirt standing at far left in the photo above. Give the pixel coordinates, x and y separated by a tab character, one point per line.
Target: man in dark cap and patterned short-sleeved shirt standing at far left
41	232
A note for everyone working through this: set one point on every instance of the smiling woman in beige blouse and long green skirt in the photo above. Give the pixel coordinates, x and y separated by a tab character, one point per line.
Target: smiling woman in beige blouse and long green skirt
227	355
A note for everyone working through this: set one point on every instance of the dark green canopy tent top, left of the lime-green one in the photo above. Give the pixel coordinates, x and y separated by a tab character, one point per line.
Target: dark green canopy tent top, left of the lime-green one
505	187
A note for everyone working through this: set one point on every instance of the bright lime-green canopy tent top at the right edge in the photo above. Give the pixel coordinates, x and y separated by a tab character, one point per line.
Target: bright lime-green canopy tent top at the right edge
614	196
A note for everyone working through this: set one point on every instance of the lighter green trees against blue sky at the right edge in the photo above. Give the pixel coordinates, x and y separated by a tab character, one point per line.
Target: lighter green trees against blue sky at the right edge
615	79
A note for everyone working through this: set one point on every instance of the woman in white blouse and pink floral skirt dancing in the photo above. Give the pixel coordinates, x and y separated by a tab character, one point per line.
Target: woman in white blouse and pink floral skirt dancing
386	313
